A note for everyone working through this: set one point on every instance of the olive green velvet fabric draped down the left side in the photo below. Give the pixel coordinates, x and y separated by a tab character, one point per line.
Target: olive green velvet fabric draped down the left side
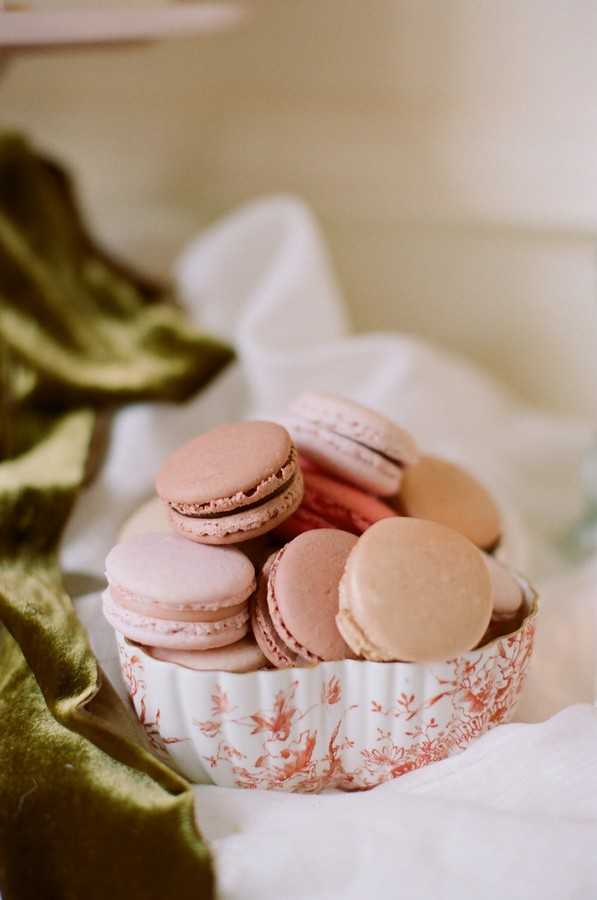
86	811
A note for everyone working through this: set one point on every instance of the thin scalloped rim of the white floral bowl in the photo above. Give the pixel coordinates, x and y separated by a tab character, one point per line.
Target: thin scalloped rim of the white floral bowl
531	600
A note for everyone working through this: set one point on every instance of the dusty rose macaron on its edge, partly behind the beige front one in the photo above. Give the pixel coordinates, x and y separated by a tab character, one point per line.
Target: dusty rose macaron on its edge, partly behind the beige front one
294	616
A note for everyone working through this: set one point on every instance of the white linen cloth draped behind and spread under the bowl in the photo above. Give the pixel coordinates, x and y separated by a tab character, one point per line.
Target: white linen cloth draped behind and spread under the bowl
516	814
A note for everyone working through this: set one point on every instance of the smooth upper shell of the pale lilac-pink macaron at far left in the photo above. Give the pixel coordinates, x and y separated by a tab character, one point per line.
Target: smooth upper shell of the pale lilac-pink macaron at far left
175	573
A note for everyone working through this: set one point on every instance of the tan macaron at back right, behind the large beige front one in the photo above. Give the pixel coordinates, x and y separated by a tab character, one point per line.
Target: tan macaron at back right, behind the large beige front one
440	491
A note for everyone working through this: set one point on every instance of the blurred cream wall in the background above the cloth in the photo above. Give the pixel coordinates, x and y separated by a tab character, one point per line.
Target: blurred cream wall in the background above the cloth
449	150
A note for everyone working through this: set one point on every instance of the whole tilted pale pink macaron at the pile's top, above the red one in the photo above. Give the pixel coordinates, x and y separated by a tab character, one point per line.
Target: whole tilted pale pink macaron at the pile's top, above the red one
351	441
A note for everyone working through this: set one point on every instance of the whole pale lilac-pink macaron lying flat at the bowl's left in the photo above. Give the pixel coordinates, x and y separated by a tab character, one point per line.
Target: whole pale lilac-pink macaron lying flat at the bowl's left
164	591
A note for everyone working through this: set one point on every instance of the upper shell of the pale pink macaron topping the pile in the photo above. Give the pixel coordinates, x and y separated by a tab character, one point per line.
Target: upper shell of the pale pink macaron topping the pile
360	423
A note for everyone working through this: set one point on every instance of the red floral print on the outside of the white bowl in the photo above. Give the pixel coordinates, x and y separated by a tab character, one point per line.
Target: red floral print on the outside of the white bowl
333	743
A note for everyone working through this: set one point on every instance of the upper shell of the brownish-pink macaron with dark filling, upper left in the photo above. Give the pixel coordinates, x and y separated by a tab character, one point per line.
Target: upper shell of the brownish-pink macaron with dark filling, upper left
228	467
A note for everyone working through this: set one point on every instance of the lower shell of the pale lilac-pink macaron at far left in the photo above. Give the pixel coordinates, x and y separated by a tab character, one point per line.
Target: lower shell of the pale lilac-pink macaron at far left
155	632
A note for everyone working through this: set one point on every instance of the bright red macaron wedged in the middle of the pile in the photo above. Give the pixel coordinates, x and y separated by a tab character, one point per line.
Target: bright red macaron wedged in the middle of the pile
329	503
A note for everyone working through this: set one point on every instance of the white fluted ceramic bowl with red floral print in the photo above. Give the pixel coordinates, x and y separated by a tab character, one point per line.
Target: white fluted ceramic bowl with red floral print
350	724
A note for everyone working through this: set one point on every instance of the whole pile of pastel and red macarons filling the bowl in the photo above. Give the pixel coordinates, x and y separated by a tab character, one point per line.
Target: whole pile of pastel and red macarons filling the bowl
327	537
